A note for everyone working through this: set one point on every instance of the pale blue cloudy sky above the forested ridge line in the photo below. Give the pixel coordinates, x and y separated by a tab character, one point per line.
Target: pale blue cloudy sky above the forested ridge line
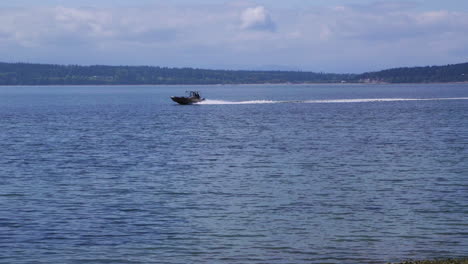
313	35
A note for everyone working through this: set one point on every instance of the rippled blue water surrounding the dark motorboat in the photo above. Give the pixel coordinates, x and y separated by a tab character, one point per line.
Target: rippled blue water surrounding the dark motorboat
255	174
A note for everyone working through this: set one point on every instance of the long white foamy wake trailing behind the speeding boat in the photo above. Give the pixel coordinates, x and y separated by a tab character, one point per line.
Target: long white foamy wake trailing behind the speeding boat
361	100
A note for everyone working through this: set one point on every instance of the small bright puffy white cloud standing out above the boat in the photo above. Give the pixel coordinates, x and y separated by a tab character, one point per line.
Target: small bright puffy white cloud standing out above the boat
257	18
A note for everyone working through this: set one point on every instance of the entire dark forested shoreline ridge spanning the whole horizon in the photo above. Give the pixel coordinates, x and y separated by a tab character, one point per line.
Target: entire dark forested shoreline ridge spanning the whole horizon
51	74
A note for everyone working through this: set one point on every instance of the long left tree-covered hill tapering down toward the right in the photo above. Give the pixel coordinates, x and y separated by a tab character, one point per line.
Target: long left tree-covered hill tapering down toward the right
46	74
